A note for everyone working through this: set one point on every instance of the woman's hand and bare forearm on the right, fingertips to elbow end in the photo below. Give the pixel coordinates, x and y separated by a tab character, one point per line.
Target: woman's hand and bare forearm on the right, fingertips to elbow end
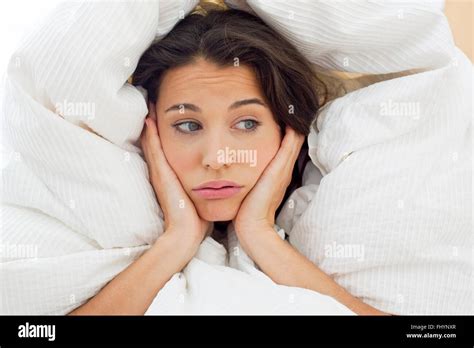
276	257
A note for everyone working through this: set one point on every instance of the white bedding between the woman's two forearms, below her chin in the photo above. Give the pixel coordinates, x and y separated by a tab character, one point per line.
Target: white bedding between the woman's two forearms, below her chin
221	282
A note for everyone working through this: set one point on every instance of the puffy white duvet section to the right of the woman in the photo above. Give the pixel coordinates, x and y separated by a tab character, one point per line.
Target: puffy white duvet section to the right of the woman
391	220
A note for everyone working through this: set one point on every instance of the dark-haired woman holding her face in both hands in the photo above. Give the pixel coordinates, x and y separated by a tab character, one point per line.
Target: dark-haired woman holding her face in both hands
219	83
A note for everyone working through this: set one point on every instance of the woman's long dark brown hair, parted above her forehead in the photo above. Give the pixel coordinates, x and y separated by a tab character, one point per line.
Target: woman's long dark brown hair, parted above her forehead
286	77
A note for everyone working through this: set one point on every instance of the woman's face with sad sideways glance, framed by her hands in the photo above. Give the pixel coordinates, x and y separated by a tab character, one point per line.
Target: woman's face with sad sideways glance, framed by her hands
215	125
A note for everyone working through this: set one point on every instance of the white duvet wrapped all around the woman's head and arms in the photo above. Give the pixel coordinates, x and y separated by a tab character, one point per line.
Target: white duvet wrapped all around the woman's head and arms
391	220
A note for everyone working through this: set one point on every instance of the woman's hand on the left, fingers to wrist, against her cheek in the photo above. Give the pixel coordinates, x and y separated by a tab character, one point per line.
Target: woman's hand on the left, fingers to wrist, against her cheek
181	217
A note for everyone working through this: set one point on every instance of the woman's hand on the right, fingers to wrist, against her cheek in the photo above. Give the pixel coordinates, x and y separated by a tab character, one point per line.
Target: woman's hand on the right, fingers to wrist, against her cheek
257	210
